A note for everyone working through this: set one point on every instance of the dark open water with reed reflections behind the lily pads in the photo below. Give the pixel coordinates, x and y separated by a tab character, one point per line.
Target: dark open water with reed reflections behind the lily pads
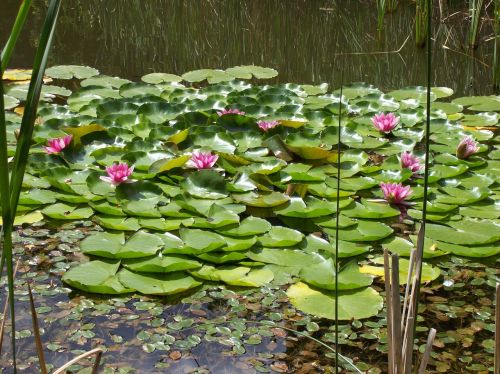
307	41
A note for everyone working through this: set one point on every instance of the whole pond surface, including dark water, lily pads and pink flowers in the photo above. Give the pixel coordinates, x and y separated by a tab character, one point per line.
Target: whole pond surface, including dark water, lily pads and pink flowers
227	227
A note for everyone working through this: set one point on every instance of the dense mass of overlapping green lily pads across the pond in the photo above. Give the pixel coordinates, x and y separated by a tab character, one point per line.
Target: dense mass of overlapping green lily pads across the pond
266	211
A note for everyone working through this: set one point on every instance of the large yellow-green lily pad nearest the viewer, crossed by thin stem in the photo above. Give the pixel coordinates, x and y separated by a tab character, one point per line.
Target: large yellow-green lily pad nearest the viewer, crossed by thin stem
357	304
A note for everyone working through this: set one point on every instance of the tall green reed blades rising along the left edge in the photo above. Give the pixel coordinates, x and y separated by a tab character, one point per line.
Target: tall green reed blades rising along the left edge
11	183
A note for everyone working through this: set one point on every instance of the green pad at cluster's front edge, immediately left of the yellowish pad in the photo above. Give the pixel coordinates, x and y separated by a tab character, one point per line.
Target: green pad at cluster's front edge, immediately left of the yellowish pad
155	284
